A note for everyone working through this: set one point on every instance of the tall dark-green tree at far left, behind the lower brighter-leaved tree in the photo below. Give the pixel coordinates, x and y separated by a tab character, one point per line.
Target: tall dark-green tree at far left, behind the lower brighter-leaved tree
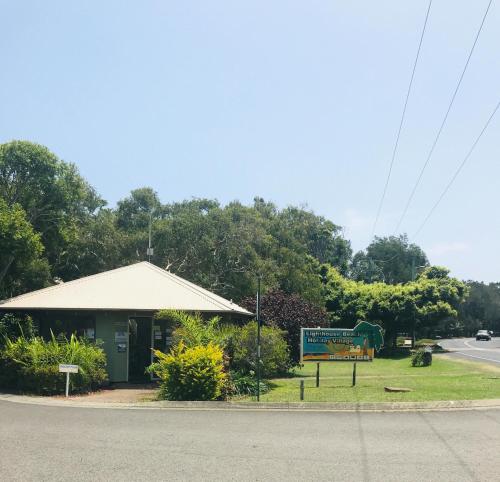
55	198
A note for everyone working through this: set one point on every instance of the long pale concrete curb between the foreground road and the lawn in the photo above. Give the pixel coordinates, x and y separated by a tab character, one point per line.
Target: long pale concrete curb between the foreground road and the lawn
263	406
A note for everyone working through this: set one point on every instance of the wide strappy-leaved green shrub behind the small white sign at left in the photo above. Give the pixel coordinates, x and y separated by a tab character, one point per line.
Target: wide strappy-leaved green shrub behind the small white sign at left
33	365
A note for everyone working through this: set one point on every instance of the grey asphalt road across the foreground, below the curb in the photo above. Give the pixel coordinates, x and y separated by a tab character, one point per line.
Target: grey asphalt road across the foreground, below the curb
65	443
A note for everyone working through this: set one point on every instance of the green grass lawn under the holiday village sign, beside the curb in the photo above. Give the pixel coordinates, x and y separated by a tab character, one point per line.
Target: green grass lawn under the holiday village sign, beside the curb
445	379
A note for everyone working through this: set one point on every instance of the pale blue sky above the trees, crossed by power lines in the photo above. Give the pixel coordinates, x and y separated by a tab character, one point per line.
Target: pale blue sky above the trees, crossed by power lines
296	102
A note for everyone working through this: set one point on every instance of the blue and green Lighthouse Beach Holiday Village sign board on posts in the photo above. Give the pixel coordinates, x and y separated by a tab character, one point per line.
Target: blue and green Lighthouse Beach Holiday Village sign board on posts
341	344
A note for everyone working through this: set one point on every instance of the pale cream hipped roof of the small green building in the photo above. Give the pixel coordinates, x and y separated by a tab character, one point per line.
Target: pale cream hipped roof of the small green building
138	287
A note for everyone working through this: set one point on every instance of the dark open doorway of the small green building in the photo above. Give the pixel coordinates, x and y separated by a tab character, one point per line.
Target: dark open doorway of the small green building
139	355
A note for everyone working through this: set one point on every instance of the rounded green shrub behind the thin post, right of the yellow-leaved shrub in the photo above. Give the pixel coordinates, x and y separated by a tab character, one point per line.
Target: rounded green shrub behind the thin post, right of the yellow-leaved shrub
275	358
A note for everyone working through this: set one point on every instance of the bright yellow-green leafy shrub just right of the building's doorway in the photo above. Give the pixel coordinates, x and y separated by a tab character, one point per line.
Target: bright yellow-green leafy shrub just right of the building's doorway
194	373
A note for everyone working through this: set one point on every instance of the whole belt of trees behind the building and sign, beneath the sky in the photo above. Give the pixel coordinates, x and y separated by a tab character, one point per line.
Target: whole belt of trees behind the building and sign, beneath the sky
54	225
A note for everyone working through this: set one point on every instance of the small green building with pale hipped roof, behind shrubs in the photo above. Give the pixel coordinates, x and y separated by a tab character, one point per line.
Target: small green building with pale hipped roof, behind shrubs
117	307
